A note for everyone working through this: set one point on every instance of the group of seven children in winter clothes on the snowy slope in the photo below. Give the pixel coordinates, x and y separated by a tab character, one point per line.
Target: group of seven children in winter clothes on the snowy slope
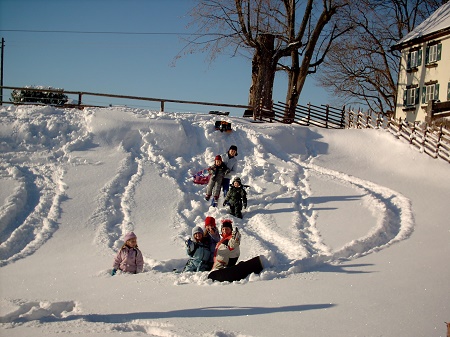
207	248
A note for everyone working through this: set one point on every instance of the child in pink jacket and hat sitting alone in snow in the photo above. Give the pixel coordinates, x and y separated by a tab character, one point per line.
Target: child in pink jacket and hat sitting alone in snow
129	259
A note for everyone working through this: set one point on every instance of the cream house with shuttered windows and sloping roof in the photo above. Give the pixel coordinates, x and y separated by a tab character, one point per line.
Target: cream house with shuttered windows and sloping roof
424	72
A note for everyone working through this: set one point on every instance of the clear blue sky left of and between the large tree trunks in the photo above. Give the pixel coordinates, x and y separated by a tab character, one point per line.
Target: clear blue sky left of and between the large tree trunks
126	64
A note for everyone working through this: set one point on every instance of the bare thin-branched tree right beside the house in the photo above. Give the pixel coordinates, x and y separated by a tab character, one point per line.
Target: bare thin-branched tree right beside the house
360	68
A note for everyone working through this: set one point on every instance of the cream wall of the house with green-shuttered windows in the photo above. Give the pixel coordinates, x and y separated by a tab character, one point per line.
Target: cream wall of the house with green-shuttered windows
420	81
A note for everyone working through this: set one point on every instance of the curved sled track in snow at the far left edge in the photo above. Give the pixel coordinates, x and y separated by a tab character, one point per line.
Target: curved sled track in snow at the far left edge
29	217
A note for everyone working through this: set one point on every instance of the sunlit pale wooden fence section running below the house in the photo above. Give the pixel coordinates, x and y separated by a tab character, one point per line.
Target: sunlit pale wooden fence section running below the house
429	139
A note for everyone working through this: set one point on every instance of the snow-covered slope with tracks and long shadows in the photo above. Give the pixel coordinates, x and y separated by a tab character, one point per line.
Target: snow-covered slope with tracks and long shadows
353	226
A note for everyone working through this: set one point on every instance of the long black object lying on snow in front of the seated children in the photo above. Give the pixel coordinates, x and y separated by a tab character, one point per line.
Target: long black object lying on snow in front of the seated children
237	272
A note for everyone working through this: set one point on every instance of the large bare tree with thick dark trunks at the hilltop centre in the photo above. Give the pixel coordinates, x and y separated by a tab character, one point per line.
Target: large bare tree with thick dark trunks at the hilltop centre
268	31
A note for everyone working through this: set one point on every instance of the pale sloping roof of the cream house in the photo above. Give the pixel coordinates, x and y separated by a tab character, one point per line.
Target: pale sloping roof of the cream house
437	24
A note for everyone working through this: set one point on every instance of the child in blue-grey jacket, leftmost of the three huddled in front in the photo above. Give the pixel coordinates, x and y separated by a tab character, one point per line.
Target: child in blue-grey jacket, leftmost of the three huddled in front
199	251
